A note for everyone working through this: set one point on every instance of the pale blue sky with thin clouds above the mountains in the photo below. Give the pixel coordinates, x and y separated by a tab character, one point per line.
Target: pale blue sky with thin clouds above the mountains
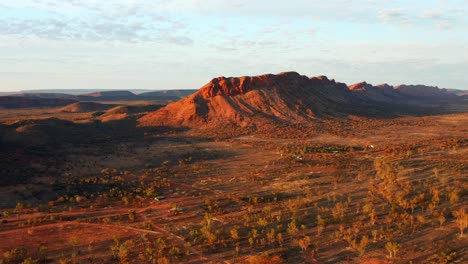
183	44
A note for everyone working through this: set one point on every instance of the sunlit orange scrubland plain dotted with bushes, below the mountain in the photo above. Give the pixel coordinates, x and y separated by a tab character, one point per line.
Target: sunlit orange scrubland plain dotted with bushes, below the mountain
376	191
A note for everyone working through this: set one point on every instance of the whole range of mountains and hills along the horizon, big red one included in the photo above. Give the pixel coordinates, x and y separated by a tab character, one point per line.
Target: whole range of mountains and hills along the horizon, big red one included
289	97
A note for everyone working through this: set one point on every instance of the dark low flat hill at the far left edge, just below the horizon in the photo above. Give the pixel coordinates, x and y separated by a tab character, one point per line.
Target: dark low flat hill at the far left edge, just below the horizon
15	102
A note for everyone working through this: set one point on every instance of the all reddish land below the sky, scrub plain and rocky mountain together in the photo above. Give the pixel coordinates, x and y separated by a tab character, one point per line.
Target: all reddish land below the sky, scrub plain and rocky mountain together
266	169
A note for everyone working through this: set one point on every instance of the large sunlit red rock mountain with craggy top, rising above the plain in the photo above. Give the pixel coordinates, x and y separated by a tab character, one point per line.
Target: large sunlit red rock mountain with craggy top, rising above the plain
285	98
